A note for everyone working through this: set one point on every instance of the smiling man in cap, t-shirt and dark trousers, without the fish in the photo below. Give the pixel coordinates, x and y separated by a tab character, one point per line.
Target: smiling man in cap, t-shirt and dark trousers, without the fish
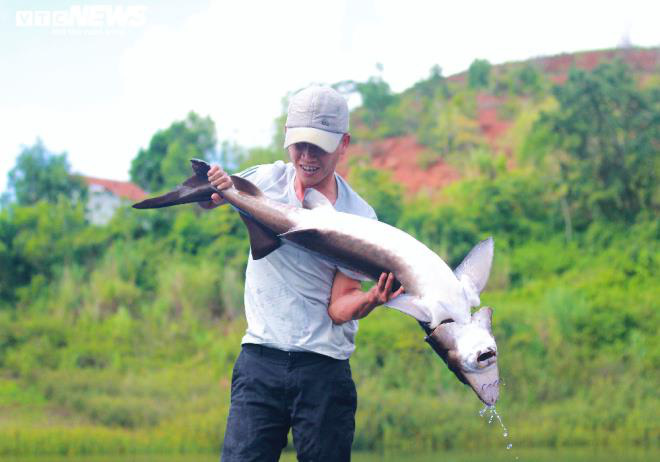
302	311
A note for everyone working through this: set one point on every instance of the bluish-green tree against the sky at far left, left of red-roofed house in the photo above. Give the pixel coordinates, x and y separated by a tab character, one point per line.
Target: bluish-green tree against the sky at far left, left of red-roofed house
42	175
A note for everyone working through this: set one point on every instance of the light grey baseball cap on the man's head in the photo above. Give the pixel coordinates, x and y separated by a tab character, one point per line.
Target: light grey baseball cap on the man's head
317	115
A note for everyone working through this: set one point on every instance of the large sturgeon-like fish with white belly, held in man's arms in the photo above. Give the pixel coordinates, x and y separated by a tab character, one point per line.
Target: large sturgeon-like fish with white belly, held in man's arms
440	299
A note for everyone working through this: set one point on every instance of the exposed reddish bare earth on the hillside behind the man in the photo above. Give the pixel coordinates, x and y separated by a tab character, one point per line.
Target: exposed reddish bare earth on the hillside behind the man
498	114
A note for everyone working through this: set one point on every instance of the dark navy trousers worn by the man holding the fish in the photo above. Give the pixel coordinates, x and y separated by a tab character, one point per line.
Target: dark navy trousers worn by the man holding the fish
273	391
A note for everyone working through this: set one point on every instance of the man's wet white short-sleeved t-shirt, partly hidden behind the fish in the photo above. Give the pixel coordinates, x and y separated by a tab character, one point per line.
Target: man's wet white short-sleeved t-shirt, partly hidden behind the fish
287	292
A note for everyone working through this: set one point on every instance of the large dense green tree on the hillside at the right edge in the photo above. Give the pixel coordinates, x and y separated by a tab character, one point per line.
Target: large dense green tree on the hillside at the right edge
602	143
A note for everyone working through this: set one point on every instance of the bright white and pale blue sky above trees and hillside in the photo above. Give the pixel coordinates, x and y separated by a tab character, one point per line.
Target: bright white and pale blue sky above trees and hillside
96	79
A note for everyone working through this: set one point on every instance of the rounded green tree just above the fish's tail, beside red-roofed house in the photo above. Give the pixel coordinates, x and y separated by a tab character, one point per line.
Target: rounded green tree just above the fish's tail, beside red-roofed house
166	161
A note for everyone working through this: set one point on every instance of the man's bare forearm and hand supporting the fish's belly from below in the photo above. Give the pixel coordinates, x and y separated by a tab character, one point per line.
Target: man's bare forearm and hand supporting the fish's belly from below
348	302
